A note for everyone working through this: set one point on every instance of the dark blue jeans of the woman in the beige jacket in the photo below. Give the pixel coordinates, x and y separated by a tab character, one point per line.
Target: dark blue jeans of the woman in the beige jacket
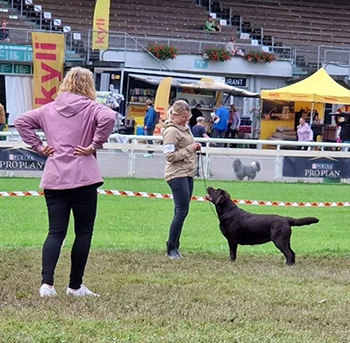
182	189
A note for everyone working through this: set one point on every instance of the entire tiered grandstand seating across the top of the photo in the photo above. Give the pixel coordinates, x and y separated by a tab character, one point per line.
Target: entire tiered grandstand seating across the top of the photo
302	24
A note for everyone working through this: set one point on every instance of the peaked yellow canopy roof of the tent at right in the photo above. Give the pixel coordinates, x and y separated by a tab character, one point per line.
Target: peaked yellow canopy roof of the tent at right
319	87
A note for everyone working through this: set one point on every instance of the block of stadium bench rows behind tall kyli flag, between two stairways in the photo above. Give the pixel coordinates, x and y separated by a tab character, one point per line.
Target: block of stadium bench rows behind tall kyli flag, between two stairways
140	18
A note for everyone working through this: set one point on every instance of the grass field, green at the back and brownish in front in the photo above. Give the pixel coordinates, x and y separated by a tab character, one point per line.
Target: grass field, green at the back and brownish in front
204	298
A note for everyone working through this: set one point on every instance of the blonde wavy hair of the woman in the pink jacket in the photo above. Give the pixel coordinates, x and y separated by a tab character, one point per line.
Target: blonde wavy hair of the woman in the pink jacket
79	81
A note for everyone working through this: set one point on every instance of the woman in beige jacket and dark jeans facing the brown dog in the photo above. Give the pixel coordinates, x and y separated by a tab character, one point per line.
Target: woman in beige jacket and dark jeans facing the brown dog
180	149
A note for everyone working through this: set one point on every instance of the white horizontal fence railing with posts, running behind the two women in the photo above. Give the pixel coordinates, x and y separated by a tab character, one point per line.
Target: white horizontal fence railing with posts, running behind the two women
133	144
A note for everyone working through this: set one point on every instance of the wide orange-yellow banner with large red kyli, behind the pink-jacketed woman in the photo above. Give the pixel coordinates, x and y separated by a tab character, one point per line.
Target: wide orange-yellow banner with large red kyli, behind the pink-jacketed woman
48	60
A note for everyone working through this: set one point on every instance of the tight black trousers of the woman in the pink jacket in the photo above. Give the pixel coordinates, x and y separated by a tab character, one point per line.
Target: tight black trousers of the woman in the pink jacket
82	201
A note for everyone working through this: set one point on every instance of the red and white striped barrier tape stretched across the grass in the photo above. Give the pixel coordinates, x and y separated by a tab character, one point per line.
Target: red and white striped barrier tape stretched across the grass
195	198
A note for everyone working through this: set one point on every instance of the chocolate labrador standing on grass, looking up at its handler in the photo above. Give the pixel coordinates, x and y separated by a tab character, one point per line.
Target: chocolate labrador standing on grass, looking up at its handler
241	227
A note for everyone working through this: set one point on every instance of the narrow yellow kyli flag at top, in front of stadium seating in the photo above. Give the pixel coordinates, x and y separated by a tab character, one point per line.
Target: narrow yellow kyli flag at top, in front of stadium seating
101	25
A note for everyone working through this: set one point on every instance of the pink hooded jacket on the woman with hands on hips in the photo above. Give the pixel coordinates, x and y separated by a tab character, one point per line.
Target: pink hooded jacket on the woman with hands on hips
68	121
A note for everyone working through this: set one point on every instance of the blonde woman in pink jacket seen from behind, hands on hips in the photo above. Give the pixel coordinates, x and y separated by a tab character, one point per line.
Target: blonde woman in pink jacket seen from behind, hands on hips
75	126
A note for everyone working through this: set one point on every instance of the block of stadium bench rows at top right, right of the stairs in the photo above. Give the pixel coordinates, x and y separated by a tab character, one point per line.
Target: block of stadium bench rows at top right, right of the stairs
303	24
